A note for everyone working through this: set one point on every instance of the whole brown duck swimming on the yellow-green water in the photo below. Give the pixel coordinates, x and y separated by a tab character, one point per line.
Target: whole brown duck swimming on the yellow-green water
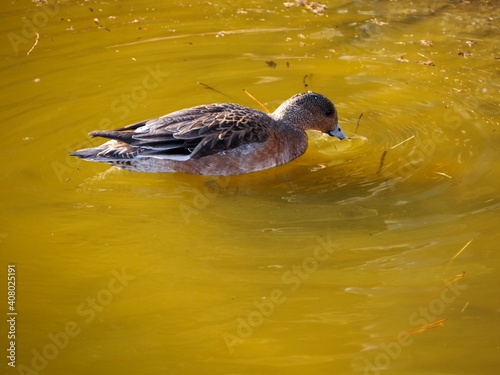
220	139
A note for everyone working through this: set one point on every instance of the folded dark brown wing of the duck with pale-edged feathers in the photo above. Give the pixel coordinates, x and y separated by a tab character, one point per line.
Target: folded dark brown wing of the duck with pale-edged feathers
190	133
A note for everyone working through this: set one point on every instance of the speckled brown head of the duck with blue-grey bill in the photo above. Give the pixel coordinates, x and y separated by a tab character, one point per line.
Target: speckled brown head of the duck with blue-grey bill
310	111
